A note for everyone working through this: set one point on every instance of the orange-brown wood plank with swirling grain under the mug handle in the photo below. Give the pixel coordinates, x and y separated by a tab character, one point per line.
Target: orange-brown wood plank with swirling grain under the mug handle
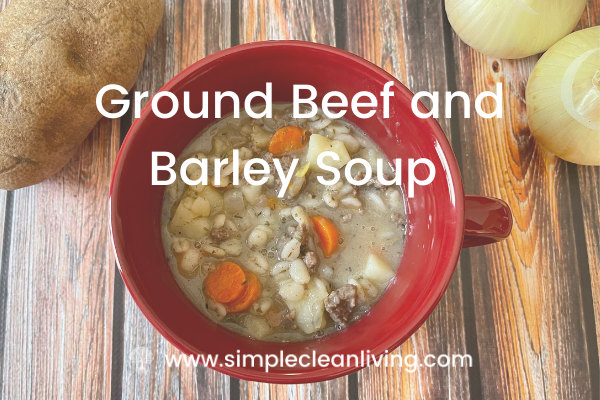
530	333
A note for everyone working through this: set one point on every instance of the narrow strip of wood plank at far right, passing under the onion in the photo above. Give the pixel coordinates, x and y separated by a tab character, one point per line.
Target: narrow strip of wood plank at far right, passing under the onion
589	182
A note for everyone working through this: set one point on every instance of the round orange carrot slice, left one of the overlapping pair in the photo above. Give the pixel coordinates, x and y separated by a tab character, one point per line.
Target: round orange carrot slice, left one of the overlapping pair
226	283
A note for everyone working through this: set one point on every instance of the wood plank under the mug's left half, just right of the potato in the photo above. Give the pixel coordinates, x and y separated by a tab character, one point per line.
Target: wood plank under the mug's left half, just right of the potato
190	30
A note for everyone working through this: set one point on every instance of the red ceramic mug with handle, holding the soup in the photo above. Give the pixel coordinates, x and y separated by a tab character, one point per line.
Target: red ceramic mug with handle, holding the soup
441	219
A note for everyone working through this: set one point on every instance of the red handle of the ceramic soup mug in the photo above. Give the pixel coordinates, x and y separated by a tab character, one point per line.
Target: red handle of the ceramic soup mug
487	220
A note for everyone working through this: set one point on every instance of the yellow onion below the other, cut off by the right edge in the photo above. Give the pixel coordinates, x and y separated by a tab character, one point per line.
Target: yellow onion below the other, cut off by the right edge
563	98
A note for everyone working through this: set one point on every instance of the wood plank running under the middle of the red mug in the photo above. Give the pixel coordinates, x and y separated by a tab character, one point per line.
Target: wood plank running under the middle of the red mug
313	20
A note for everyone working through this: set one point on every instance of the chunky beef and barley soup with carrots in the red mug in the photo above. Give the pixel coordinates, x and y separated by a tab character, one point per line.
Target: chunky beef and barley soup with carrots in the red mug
291	268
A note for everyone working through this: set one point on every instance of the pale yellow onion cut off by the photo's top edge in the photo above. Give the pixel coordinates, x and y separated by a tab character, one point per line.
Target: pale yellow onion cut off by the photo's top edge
513	28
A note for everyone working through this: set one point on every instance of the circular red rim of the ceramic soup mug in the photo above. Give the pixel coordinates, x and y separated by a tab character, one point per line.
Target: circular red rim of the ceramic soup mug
325	373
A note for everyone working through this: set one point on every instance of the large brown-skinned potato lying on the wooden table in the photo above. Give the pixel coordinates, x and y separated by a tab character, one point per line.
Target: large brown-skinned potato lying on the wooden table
55	55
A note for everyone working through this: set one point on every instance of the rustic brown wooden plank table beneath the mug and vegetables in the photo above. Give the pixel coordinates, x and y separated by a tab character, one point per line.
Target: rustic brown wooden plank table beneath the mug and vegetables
527	309
